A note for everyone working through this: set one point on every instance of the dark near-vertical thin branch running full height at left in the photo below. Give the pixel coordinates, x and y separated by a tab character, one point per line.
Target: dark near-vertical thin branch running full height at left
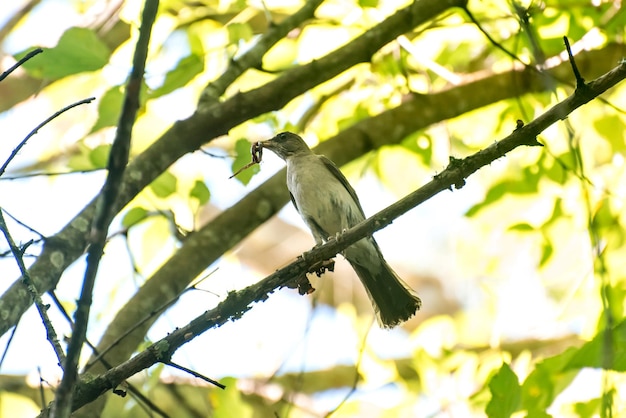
118	159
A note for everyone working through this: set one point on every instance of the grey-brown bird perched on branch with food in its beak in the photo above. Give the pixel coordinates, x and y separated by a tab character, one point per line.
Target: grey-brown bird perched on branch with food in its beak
329	205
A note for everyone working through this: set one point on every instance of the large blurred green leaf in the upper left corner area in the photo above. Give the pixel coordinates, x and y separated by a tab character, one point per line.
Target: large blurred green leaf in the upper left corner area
79	50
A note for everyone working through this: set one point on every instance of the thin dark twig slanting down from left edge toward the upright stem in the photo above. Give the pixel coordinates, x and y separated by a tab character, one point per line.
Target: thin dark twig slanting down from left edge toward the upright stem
32	290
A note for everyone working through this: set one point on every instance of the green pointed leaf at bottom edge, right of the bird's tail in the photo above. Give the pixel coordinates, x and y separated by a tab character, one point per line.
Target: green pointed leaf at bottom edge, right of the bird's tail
505	393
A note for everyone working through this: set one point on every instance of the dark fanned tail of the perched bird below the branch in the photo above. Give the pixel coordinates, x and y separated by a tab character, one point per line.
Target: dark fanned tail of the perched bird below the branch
393	301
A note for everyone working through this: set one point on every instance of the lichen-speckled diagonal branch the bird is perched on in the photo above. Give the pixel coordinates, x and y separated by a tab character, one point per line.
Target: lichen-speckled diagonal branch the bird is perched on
237	303
